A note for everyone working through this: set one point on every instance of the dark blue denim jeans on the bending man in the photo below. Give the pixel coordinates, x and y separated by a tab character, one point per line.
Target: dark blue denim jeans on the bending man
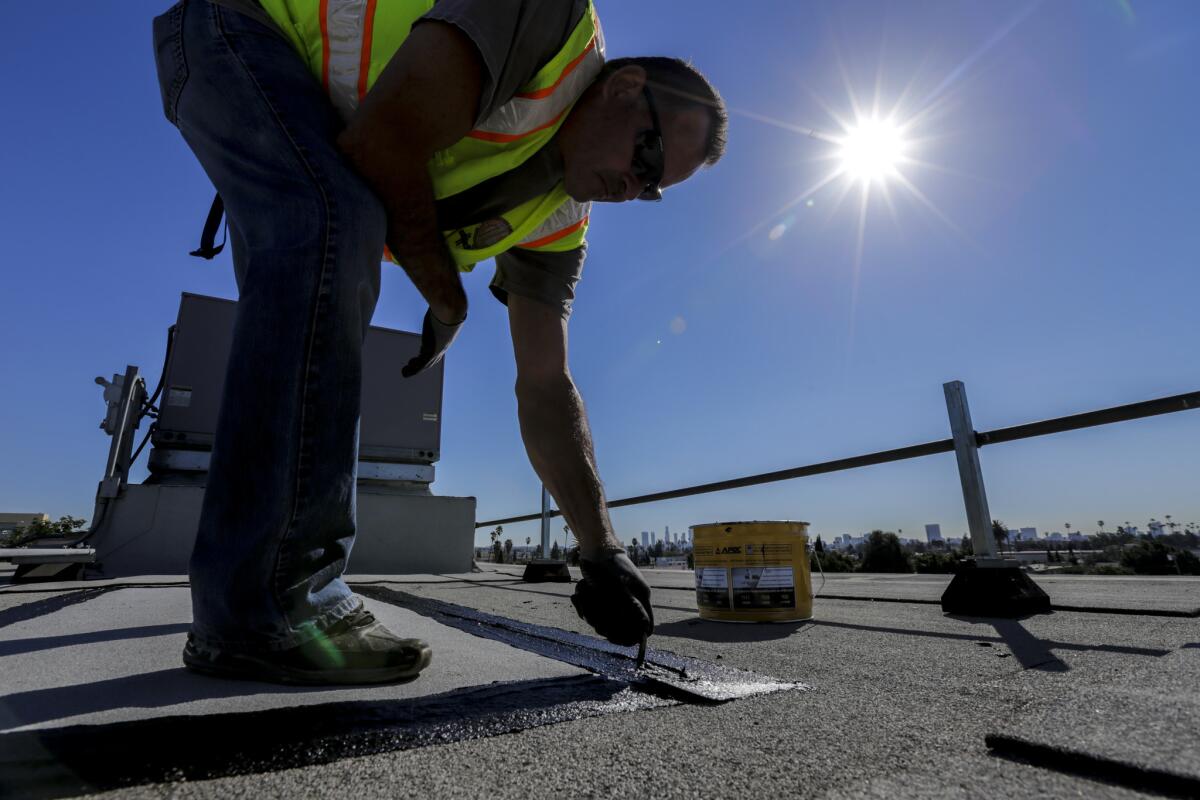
308	239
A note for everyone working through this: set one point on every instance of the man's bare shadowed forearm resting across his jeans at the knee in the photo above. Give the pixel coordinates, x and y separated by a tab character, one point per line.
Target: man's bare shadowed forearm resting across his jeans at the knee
406	191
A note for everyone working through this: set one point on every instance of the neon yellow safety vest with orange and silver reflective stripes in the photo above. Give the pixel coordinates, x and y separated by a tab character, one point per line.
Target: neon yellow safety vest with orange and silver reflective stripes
347	44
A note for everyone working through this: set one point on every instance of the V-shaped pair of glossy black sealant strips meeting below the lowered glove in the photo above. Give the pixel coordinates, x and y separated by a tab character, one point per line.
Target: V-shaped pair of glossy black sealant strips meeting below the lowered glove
81	760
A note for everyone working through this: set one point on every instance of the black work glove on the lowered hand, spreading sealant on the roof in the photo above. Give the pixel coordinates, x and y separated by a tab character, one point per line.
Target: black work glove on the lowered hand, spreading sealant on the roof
615	599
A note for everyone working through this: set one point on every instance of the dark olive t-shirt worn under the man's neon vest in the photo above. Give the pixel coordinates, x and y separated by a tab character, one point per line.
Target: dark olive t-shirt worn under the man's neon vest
515	40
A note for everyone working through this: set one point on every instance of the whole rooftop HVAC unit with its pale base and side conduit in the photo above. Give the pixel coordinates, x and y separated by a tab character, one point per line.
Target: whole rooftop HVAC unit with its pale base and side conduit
151	528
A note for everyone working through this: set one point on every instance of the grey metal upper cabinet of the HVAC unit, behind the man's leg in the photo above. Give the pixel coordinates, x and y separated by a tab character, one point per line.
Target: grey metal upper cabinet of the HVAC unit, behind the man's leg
401	417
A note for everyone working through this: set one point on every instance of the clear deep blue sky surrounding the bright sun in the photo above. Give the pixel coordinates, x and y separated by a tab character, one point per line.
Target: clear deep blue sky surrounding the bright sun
1053	269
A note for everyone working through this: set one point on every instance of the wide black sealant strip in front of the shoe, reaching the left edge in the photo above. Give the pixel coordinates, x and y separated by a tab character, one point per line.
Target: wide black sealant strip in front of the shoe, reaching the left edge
81	760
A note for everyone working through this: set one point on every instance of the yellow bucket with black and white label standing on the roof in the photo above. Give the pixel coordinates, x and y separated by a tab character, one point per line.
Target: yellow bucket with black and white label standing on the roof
753	572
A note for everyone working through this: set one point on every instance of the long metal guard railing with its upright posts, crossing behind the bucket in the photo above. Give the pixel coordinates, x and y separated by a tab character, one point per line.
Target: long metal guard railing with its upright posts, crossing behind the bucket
965	443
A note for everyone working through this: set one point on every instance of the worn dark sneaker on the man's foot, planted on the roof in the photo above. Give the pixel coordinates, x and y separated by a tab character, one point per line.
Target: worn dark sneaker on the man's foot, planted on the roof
356	651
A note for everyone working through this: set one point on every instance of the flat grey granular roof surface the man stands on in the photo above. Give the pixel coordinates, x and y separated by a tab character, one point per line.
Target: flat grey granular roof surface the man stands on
885	696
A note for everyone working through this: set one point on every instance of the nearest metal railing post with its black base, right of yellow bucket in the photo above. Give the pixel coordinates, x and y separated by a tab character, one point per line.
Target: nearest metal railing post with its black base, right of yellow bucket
987	586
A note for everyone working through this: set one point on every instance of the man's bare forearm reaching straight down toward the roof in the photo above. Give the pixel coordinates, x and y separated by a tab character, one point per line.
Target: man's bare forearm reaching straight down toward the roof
555	430
